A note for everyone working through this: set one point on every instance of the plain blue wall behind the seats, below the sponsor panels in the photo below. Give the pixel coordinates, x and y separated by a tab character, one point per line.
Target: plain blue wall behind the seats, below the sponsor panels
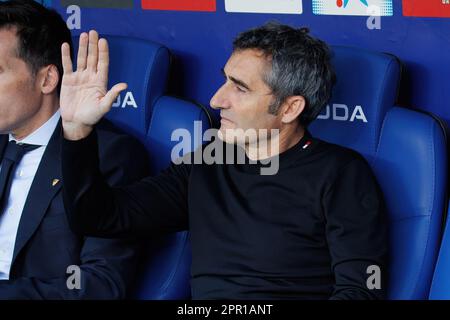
201	44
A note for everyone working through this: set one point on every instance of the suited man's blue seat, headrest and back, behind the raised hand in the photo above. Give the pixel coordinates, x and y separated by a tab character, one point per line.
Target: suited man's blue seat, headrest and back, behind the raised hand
146	113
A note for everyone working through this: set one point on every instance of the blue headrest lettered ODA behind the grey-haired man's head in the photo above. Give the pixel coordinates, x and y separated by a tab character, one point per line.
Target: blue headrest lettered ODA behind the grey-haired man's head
366	88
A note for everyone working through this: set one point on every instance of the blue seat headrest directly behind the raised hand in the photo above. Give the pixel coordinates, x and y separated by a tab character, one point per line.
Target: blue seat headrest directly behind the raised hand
144	66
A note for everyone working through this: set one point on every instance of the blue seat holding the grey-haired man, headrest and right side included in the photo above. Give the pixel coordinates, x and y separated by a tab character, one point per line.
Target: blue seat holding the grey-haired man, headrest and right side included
407	152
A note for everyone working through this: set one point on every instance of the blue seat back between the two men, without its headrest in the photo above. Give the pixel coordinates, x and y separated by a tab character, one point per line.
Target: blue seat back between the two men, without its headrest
166	268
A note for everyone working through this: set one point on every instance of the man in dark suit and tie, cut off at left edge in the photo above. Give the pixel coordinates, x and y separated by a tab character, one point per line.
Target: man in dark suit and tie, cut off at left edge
40	257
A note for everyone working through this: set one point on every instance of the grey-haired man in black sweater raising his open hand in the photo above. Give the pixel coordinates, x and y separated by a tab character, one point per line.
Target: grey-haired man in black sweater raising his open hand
309	227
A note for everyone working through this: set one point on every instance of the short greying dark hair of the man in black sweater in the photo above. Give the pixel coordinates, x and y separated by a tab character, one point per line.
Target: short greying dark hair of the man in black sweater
300	65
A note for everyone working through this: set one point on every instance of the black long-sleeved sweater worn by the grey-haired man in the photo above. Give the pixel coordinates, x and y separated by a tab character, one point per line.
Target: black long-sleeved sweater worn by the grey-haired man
308	232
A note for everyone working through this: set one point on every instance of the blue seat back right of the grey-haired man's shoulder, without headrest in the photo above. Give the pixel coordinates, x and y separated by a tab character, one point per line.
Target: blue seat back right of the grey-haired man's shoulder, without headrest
411	167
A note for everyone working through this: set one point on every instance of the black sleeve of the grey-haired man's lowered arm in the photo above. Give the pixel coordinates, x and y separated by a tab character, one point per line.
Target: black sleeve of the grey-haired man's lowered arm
356	233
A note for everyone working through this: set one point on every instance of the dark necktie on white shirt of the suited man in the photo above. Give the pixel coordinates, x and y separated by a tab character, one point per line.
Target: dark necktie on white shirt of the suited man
11	157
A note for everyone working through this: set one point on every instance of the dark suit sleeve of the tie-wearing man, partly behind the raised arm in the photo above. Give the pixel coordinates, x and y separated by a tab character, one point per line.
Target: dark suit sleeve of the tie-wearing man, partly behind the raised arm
106	266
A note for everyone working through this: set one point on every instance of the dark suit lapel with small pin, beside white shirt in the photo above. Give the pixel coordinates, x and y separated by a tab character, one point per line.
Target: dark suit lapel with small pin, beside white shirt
42	191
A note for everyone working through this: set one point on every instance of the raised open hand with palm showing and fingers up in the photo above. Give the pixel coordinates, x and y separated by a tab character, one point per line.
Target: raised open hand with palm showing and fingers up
84	98
